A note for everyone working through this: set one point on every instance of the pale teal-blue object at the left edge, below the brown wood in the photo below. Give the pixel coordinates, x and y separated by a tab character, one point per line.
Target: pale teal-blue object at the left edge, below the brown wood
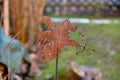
12	52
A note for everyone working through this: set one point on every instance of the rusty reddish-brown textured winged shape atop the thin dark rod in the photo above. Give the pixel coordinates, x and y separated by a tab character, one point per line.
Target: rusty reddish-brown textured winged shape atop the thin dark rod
53	39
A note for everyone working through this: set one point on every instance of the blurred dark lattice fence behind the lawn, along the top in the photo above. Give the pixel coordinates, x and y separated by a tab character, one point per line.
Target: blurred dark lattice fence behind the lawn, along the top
105	8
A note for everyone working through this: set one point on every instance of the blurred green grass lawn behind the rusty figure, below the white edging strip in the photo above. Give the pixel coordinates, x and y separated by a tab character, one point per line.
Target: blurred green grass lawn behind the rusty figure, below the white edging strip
105	39
